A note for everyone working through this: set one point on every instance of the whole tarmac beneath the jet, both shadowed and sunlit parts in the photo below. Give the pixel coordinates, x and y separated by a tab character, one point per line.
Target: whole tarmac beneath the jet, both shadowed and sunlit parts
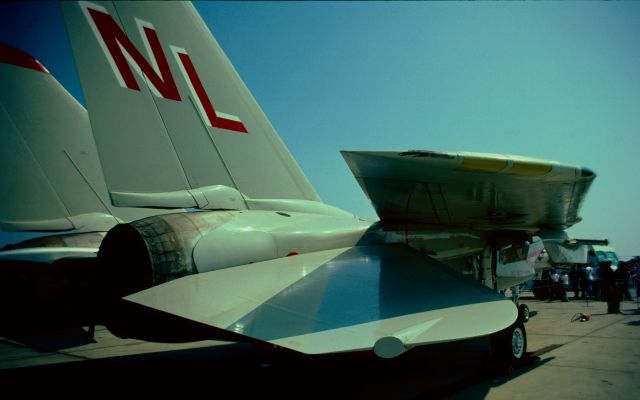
569	359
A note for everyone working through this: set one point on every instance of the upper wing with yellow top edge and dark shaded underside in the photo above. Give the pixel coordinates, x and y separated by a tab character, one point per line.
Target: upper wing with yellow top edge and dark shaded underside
473	190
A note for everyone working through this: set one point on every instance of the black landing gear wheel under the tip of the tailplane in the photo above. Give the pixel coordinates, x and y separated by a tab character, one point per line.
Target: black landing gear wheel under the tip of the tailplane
509	346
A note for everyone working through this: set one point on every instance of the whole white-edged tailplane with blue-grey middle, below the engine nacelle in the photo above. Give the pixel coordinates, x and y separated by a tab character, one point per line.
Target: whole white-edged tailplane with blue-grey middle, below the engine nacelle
348	299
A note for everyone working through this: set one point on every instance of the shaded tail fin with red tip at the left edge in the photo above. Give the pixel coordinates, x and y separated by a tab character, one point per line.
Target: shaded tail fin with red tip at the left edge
50	176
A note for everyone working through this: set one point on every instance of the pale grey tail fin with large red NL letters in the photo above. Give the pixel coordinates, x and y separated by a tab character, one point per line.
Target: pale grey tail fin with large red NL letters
174	124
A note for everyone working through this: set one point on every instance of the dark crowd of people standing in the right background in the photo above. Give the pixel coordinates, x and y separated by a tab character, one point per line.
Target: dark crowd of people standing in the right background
601	282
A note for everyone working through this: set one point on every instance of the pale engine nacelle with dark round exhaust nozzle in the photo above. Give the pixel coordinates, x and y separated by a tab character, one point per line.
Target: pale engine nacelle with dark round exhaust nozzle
158	249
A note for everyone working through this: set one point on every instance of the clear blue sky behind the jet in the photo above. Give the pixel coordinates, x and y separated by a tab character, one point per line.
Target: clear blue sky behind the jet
553	80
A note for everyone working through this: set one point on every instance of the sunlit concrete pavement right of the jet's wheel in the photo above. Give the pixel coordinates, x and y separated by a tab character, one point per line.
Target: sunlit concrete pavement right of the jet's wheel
595	359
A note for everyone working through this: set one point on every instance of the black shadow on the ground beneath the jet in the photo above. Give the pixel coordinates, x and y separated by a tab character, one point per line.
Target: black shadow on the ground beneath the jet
242	370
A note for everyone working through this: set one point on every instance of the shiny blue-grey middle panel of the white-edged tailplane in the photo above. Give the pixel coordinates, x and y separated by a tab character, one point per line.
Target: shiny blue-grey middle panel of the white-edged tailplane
364	284
